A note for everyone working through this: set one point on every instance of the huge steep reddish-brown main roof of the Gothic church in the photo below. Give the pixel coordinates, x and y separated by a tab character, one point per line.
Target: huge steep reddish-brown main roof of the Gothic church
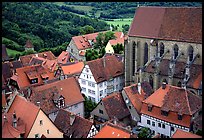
168	23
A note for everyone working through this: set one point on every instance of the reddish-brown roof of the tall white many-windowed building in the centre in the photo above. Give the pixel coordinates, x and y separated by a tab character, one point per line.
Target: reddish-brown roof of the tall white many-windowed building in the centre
105	68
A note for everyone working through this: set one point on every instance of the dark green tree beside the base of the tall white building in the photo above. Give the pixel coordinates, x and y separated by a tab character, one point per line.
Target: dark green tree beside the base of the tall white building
89	105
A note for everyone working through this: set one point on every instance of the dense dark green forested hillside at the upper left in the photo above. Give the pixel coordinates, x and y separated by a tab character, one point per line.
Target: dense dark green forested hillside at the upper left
46	25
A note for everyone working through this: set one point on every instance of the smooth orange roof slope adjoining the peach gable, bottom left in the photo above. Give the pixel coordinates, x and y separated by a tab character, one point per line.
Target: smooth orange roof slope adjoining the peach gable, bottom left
24	110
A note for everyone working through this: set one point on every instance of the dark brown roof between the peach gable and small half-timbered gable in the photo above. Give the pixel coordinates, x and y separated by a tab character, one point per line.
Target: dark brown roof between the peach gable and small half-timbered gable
79	129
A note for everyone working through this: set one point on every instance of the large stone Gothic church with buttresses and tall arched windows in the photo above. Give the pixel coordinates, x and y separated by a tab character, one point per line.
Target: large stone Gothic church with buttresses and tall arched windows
164	44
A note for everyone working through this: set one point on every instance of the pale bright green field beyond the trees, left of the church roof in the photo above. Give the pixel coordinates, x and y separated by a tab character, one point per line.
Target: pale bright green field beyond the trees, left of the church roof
120	22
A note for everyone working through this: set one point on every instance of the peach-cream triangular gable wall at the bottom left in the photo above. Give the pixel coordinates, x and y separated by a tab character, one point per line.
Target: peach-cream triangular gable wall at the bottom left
44	126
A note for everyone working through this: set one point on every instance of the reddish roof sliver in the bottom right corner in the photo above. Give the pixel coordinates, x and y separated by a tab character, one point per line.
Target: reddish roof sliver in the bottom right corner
183	134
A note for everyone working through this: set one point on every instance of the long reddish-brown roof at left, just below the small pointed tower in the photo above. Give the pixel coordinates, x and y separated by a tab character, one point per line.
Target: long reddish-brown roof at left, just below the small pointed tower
26	58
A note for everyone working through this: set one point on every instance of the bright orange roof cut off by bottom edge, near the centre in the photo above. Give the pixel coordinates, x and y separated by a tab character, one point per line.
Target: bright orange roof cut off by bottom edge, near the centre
110	131
